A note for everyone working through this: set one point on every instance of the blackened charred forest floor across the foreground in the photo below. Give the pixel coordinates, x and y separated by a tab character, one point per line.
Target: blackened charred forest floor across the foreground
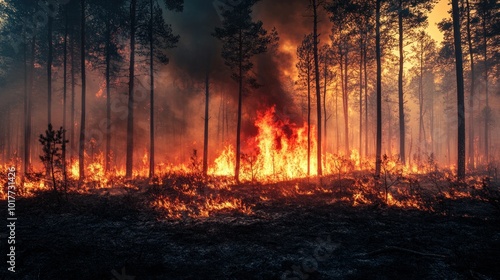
118	235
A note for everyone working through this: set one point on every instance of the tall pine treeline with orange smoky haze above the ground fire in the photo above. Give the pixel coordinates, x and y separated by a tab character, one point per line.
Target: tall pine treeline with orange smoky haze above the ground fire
126	78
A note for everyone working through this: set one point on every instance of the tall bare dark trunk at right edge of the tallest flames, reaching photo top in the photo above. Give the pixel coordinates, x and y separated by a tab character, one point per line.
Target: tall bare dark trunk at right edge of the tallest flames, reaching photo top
318	89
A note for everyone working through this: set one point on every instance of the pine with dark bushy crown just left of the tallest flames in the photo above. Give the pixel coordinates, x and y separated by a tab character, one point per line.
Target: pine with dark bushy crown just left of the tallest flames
241	40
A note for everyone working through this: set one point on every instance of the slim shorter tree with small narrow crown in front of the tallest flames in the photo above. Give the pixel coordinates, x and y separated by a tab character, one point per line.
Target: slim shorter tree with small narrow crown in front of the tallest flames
306	71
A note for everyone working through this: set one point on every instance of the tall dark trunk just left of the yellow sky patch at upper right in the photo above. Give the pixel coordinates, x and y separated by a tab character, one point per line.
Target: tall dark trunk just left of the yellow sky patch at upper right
402	132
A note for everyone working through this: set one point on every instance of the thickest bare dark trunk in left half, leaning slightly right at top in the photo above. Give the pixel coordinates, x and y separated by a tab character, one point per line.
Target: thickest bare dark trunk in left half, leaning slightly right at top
130	117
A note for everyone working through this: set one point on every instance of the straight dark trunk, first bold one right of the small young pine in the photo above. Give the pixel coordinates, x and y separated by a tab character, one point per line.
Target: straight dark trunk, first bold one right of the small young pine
81	153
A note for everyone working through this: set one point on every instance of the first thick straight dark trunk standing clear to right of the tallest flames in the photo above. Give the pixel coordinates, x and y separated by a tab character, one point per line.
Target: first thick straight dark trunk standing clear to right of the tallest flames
379	92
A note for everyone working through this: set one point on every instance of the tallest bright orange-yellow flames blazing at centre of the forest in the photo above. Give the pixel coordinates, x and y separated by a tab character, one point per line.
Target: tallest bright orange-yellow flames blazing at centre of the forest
279	152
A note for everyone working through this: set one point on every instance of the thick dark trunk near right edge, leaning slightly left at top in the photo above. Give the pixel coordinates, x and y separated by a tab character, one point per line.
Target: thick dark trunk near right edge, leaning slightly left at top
460	90
